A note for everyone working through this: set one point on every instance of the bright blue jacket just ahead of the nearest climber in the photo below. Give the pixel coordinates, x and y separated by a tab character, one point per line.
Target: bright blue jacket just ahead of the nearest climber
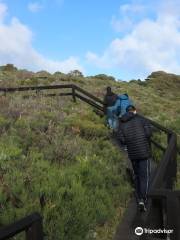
122	103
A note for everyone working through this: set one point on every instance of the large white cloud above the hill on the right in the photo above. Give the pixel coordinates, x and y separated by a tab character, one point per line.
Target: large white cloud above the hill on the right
150	46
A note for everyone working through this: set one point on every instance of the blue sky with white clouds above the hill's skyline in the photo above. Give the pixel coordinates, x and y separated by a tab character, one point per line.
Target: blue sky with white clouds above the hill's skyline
126	39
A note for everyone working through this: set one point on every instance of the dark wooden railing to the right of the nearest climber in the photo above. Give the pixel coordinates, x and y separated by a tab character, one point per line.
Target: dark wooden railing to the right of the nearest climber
164	209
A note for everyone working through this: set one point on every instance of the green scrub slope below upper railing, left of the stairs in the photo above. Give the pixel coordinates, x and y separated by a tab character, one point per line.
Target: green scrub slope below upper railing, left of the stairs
78	173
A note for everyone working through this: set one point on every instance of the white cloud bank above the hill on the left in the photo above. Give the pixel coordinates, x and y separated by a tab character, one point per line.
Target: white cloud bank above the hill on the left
16	47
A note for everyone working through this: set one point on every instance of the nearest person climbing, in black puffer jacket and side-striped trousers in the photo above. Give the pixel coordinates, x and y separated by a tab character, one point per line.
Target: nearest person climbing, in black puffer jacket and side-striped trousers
135	132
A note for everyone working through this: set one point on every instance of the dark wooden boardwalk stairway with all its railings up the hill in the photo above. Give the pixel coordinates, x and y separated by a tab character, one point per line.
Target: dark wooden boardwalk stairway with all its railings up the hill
163	210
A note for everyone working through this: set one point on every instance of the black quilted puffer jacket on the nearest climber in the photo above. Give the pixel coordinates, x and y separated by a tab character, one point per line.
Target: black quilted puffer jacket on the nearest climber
135	132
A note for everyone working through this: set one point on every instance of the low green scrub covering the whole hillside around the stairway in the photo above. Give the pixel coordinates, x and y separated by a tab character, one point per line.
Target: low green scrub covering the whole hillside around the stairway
57	158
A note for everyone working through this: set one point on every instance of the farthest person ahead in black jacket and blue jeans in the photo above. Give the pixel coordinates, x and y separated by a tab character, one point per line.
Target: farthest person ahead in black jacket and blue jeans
110	109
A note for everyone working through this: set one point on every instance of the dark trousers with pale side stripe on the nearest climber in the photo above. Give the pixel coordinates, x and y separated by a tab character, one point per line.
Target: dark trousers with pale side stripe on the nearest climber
141	170
